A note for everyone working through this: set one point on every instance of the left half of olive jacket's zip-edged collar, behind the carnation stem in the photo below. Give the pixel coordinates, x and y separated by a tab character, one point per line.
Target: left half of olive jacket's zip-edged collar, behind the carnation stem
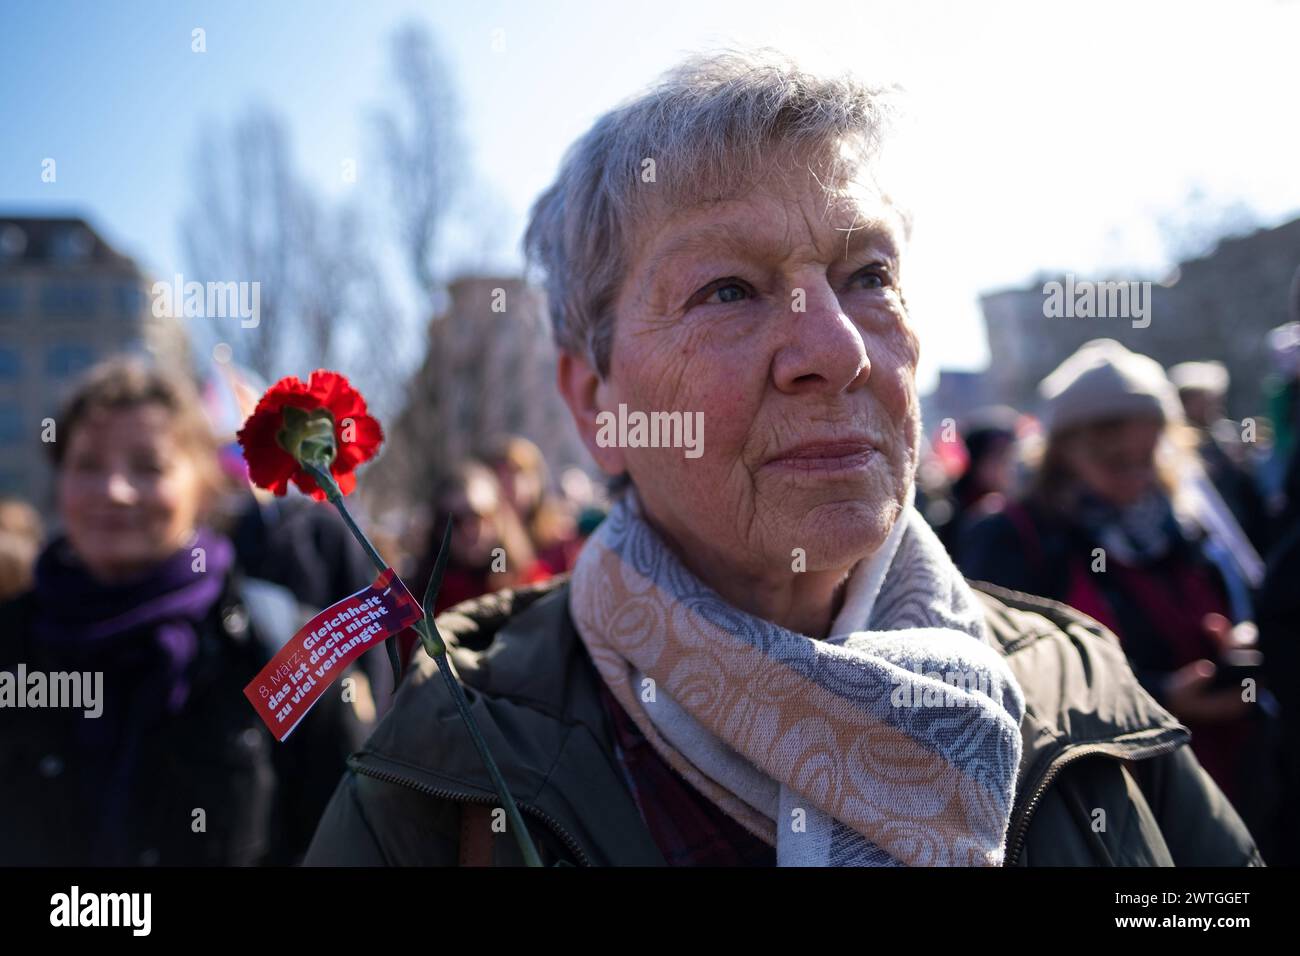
534	693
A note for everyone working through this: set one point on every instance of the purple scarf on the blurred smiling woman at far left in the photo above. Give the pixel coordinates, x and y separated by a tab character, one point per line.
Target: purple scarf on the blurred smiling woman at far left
144	635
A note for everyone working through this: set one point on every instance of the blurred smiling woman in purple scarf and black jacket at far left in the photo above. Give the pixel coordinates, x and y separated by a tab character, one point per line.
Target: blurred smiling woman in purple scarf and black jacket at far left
144	599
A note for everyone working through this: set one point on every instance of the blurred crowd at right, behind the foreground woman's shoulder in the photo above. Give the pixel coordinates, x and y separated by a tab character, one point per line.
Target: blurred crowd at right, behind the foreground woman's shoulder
1133	499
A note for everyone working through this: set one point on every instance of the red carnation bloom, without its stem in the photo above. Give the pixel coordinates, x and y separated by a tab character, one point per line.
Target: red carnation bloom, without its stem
323	421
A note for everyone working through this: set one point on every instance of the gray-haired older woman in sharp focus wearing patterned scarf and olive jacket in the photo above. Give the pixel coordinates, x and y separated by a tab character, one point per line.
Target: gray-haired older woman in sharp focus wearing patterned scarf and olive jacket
764	657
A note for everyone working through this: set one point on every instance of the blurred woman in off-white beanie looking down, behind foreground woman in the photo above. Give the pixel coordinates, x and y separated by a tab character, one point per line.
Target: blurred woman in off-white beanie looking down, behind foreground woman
1103	531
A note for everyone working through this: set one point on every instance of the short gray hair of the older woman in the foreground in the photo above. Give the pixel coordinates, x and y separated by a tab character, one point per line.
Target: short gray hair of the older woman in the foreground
709	126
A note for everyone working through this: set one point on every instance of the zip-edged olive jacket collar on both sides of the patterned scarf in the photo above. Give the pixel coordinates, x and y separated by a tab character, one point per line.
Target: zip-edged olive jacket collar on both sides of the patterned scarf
539	706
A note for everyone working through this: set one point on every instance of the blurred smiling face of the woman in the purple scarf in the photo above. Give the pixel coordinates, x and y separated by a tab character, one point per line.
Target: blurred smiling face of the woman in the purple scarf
128	494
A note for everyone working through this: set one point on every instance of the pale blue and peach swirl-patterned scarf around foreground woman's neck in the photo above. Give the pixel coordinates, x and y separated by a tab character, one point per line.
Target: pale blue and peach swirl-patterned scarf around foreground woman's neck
894	742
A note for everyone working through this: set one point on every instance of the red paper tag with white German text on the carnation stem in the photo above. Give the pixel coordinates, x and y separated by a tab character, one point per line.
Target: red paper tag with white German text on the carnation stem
298	676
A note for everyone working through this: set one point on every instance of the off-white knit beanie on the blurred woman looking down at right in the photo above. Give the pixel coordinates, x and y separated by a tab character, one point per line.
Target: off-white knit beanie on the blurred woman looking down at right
1104	380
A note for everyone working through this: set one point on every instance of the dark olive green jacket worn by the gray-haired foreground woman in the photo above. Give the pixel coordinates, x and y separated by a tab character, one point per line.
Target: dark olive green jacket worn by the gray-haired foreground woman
1107	777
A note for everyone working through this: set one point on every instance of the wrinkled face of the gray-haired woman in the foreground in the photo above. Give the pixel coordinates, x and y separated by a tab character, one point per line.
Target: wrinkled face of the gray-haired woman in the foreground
779	319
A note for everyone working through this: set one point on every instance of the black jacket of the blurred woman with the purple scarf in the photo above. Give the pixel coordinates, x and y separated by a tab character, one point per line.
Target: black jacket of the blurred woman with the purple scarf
261	799
